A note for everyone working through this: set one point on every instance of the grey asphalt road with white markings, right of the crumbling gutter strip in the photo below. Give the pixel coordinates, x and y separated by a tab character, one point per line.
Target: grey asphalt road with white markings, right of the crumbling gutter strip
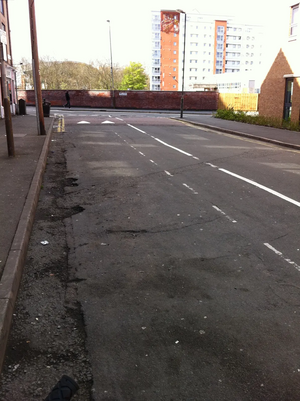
187	260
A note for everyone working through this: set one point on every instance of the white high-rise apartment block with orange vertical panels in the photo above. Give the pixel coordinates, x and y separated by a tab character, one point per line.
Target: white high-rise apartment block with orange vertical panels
213	45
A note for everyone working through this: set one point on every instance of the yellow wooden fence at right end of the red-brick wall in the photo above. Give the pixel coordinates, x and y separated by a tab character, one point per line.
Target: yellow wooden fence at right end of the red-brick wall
238	101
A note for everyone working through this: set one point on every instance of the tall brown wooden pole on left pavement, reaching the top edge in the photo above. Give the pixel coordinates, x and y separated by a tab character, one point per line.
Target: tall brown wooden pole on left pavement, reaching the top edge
36	70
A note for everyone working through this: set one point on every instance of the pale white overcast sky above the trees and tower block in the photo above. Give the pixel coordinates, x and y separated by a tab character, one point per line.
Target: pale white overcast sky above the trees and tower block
77	30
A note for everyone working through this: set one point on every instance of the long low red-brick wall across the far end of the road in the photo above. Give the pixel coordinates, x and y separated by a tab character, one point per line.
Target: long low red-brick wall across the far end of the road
151	100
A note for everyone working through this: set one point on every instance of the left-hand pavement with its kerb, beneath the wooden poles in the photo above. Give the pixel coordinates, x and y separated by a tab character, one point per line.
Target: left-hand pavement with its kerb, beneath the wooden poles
20	183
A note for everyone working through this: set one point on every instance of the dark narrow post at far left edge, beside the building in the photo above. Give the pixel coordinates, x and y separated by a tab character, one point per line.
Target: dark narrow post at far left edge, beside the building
6	105
